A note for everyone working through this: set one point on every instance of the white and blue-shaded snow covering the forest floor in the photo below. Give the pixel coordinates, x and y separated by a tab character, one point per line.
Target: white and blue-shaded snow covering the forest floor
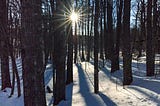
144	91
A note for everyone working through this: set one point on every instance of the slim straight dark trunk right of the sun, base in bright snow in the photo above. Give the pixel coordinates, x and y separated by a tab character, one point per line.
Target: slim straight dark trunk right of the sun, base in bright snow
96	46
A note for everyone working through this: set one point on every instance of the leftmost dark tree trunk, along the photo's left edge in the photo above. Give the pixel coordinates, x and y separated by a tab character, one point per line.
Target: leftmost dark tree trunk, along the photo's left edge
5	75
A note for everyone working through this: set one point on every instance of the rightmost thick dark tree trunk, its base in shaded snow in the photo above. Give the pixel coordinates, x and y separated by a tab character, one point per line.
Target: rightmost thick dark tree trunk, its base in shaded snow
149	43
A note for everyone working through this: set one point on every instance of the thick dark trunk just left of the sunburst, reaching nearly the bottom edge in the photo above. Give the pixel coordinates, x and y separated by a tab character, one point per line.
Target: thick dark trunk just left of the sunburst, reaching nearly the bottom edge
59	55
